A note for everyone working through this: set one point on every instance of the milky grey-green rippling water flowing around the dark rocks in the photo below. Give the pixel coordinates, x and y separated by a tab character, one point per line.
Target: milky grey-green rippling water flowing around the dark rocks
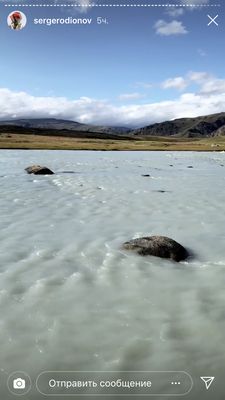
71	299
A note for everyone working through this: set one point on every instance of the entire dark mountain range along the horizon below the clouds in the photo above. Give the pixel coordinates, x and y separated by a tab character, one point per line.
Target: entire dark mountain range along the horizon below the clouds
198	127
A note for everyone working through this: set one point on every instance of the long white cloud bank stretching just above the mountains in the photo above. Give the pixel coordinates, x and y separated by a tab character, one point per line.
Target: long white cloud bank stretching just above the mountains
210	98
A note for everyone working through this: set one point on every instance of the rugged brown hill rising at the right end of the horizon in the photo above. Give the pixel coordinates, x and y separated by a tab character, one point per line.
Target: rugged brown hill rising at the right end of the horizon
205	126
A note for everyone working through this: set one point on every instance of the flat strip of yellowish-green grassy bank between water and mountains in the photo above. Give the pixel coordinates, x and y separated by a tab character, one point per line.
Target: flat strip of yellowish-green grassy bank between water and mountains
21	141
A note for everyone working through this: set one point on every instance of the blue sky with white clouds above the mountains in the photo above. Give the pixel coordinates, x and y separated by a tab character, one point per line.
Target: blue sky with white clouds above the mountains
139	66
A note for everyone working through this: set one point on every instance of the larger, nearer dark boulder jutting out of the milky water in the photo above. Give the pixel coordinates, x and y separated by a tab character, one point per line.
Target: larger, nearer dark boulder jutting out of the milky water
159	246
